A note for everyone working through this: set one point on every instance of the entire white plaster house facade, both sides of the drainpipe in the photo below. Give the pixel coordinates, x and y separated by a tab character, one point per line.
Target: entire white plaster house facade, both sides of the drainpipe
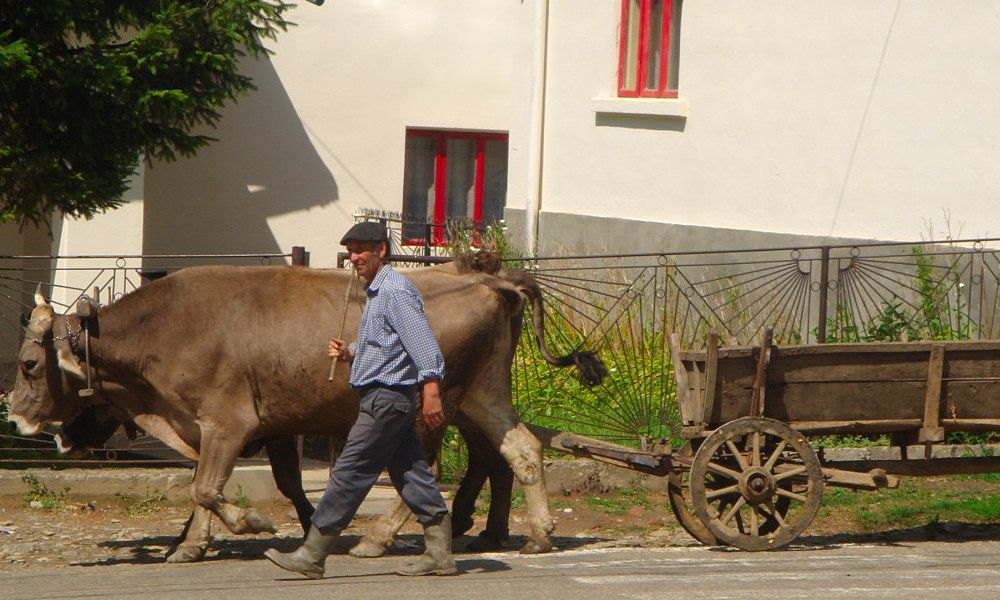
848	119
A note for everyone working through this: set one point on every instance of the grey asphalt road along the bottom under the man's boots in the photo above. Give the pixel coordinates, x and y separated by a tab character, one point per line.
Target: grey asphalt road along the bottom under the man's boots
935	570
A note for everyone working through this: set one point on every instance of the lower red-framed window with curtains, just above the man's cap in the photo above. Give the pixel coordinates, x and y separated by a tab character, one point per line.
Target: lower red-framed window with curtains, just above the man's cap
449	174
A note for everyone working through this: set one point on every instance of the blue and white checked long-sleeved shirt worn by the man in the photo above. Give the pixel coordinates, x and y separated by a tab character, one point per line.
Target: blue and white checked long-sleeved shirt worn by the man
395	344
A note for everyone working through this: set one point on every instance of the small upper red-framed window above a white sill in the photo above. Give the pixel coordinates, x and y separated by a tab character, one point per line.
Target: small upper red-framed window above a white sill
648	48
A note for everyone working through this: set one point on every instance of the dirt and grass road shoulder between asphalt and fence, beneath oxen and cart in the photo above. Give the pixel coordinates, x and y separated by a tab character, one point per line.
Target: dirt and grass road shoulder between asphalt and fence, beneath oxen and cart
107	530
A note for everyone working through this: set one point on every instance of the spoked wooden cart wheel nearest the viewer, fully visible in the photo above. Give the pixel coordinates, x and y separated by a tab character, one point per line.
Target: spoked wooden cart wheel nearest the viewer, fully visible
756	484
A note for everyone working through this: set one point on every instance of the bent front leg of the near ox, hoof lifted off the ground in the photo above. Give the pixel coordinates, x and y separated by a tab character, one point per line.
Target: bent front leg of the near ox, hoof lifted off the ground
219	451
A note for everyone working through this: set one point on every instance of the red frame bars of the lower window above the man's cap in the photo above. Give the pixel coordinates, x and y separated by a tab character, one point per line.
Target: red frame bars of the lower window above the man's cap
441	138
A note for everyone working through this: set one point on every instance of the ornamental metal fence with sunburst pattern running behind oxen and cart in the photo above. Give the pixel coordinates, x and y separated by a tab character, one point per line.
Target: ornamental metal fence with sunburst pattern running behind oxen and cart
625	307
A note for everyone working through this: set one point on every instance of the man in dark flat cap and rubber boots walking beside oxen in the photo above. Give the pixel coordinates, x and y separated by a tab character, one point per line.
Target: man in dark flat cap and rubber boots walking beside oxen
394	355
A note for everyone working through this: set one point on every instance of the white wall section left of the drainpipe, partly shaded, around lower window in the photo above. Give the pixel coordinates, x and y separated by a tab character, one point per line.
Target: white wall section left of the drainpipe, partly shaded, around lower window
325	134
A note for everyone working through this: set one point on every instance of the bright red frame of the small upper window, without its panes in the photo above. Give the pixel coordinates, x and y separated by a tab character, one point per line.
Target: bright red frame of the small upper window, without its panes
640	89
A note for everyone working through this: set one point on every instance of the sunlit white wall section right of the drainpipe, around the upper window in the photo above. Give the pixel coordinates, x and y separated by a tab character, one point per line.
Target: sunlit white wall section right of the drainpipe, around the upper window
859	118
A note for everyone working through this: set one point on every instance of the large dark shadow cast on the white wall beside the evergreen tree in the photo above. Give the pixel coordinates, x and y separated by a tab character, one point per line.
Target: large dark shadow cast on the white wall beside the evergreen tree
262	165
